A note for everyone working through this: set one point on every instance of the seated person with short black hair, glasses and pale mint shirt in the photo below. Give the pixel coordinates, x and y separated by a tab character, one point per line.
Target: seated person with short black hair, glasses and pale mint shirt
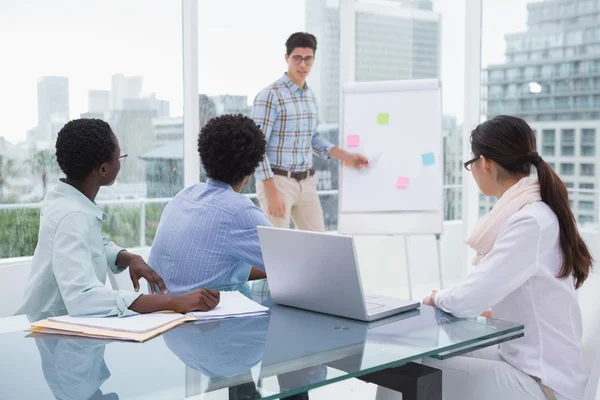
72	258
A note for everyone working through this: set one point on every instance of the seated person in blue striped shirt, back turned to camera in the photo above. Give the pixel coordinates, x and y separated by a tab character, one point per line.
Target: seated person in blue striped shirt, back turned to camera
207	234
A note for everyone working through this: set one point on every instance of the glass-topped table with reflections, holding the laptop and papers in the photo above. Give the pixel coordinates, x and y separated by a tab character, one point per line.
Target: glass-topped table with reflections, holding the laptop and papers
286	352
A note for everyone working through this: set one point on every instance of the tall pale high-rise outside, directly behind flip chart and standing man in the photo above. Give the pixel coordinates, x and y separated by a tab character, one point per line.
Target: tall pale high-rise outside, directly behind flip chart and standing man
394	40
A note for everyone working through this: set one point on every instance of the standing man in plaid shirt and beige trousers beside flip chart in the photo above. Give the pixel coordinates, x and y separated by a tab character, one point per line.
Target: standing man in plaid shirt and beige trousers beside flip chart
288	115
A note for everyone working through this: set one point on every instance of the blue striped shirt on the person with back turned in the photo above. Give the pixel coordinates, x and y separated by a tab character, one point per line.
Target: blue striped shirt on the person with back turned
207	238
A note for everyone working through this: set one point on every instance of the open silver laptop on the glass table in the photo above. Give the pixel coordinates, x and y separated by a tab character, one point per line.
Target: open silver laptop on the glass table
319	272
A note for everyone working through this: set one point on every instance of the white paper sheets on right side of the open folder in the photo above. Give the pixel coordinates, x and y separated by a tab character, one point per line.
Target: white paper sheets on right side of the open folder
231	305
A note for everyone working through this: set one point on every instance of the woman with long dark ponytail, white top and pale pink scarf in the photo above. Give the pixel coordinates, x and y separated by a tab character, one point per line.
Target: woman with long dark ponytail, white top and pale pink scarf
530	261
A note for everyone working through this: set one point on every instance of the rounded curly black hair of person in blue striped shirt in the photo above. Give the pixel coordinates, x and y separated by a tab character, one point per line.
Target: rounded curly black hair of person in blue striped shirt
231	147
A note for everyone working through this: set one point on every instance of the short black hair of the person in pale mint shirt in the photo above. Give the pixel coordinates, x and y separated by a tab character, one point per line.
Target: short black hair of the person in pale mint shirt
82	145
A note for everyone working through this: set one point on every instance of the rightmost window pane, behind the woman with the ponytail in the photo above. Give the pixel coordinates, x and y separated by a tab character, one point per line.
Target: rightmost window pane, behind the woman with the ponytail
562	69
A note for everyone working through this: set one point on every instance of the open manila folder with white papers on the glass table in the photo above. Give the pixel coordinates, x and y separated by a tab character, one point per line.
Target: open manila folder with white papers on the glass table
142	327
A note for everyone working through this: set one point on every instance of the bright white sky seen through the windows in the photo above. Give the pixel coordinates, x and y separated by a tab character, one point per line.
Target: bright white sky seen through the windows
240	48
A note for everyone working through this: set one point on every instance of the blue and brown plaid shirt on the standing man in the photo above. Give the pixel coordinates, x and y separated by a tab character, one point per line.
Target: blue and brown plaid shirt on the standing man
288	117
